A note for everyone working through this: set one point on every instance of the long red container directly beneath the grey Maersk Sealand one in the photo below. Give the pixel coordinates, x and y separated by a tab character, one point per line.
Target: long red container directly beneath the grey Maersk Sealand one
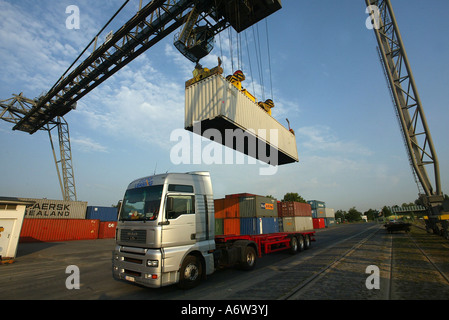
50	230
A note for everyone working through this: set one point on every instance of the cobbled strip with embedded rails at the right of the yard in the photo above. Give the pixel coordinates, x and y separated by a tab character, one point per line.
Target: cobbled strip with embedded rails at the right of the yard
411	266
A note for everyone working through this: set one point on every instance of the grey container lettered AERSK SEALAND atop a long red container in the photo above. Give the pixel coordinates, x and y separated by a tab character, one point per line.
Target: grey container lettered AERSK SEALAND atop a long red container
55	209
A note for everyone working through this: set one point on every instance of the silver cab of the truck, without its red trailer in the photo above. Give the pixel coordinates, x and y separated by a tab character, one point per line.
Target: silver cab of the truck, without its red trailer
165	232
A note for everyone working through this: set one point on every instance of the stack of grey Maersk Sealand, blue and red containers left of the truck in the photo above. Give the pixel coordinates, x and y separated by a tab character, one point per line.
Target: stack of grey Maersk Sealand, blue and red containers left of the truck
55	220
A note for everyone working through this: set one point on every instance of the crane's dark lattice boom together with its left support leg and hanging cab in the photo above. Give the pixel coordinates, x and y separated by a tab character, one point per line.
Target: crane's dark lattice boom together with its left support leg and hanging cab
203	19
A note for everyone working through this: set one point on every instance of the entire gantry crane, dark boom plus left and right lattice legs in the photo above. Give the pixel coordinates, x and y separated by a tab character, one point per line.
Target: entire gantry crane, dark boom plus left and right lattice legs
201	21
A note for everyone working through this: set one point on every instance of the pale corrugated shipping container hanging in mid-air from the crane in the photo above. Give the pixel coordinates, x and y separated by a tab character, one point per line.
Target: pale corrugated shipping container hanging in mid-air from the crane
237	122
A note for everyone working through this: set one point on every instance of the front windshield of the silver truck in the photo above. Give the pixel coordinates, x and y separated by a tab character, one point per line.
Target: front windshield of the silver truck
141	203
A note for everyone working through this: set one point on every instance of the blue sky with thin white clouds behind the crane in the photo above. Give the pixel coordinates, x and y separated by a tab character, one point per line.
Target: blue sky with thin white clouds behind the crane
326	78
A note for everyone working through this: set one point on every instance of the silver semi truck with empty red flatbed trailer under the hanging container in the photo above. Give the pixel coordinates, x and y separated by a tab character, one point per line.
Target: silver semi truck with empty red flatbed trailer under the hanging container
166	234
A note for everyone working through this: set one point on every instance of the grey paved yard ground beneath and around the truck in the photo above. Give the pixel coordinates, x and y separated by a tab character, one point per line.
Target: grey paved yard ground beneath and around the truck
40	271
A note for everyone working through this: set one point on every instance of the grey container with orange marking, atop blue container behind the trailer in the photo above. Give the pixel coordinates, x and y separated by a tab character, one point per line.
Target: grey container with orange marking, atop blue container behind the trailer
258	206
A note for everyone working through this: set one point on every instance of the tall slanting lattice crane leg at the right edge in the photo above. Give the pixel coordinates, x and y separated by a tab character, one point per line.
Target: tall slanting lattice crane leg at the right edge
410	112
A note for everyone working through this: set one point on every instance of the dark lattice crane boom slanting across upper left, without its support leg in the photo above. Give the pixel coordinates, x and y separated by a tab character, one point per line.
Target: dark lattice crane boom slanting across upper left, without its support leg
149	25
